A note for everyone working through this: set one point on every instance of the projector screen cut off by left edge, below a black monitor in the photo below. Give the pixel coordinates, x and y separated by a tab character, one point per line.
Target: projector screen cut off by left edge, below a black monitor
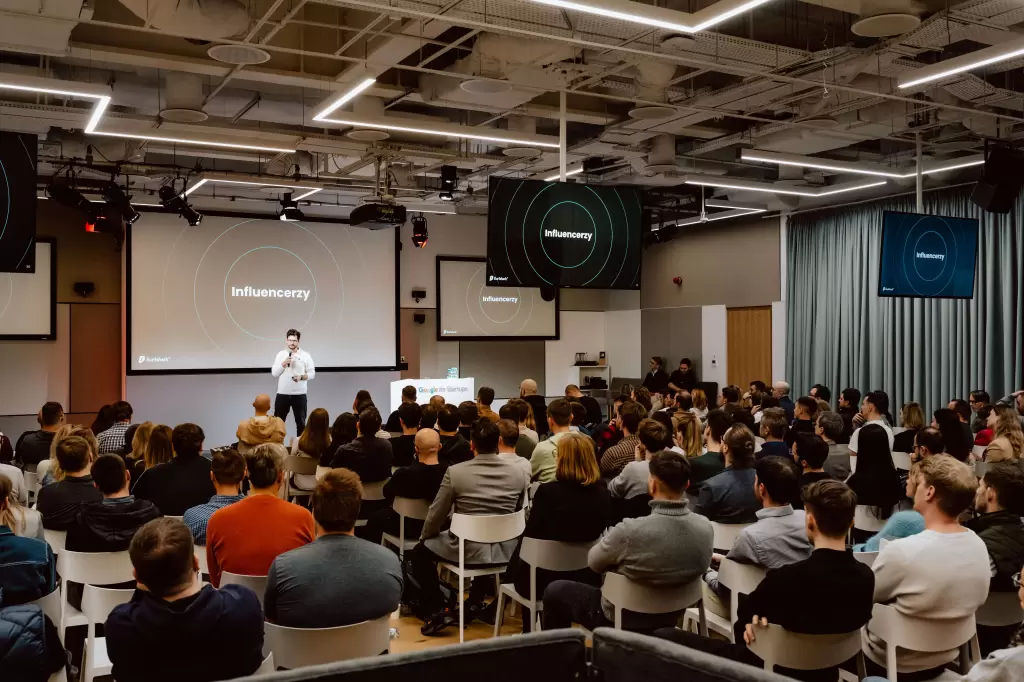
28	301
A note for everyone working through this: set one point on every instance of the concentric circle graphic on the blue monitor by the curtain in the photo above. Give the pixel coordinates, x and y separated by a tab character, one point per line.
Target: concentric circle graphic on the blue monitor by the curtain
927	257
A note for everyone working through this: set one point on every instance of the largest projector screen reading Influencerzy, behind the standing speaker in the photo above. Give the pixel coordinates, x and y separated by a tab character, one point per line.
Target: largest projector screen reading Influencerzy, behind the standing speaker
221	296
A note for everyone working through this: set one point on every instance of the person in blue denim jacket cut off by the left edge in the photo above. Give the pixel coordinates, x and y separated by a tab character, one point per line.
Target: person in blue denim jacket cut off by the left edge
28	569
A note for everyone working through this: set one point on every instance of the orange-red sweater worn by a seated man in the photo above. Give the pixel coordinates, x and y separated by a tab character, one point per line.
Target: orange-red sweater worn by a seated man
245	538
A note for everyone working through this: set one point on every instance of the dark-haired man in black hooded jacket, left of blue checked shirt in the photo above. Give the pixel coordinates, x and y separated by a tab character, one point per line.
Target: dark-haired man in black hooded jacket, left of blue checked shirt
108	526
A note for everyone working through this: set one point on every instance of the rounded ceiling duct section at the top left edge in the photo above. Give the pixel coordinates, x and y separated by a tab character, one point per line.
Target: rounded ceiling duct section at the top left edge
202	20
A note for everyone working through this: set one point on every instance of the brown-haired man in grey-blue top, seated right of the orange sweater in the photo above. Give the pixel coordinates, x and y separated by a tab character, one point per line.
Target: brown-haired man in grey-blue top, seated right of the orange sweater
338	579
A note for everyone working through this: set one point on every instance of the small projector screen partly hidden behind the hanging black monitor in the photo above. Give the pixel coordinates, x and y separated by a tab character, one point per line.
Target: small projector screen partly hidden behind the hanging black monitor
470	310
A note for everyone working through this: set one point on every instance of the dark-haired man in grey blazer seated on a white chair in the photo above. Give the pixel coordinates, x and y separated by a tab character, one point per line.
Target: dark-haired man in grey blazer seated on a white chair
488	485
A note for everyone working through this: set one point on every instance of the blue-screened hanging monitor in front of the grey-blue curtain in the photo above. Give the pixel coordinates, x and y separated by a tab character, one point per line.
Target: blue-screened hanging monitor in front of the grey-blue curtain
927	257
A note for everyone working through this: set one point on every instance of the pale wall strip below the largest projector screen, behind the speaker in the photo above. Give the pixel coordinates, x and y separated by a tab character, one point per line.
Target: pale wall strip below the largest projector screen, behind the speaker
219	403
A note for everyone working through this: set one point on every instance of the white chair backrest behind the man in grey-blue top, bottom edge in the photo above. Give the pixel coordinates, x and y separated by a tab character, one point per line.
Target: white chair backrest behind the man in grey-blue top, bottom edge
298	648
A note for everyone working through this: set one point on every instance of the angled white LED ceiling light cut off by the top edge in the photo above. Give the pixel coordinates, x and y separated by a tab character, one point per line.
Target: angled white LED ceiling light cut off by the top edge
660	18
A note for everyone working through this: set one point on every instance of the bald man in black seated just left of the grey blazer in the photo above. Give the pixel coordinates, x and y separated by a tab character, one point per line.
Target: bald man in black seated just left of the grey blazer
420	481
